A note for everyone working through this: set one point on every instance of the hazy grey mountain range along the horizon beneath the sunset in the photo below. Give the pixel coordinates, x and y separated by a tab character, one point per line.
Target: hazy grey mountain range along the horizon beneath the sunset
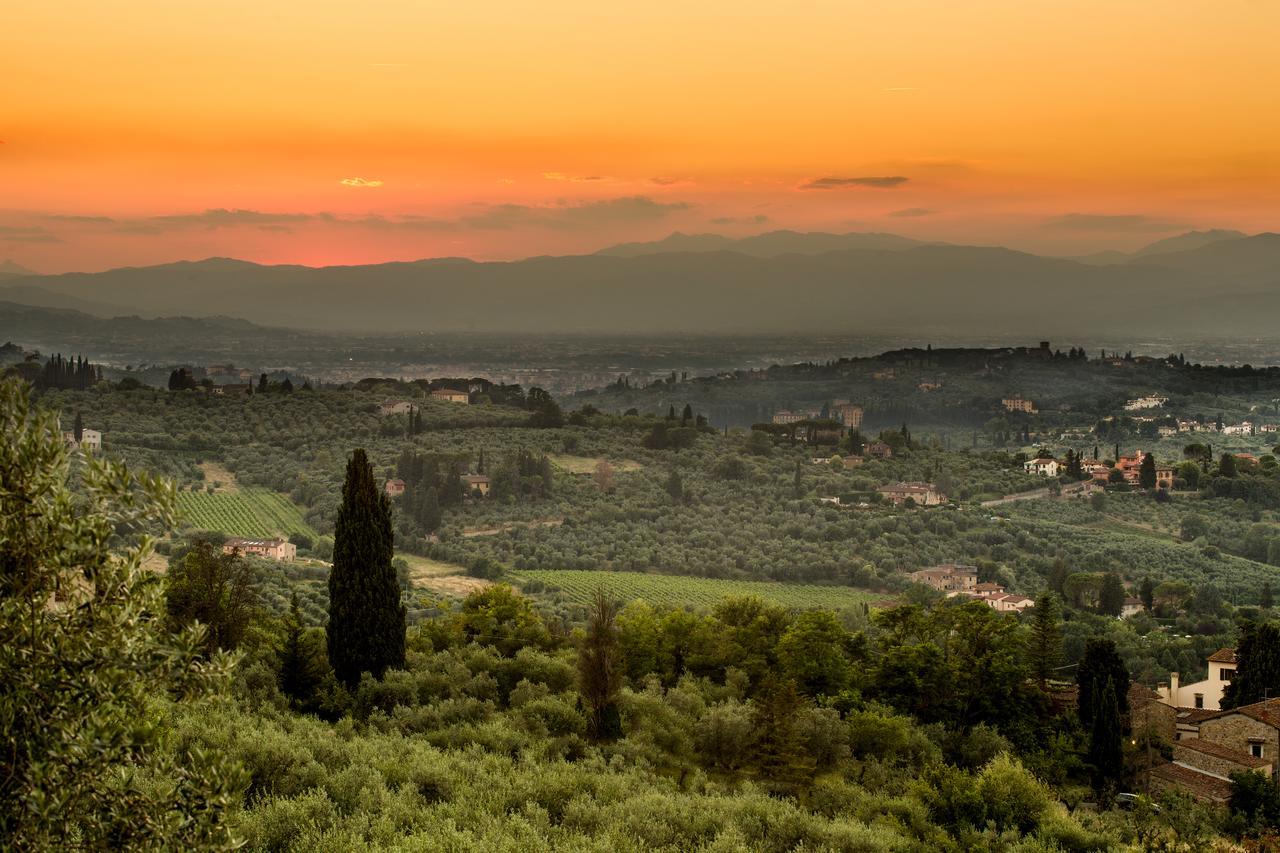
1203	282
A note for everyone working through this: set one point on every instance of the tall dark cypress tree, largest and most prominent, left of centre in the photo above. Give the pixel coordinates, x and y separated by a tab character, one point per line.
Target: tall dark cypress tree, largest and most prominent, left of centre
367	618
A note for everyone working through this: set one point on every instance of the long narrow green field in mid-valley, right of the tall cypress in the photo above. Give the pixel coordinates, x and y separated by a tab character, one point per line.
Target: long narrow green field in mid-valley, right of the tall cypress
678	591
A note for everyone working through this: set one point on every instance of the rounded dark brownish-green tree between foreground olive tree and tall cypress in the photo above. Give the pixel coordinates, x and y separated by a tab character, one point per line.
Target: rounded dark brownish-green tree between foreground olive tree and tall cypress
214	590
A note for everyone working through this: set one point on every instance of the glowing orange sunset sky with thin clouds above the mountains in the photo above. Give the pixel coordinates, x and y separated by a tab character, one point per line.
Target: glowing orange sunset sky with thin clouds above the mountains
323	133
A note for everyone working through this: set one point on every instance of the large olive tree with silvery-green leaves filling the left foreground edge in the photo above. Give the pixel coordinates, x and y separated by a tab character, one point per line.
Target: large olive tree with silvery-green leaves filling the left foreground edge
86	667
